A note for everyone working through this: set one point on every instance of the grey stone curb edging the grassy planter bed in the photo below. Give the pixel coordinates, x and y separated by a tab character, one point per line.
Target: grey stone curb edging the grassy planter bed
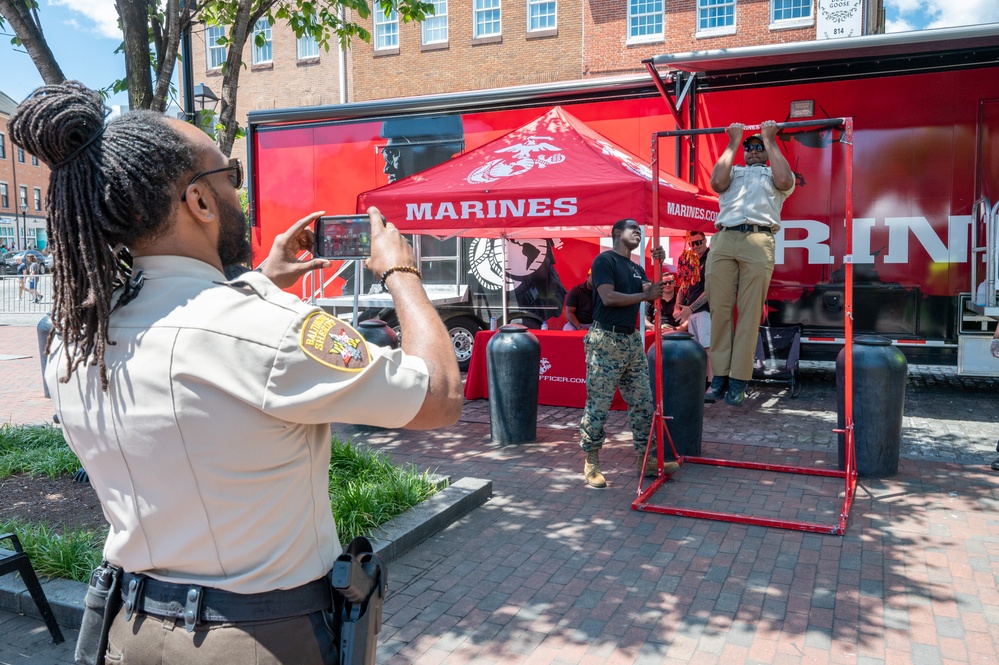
394	539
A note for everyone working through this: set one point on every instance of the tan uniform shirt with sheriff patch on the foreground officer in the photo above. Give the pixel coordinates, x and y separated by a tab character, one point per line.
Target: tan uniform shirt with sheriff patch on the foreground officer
210	450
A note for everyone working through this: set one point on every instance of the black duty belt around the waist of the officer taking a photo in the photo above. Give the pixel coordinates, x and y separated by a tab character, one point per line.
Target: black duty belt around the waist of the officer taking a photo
196	604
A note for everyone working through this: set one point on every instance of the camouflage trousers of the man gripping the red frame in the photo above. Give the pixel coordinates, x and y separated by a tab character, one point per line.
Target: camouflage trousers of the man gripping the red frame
615	360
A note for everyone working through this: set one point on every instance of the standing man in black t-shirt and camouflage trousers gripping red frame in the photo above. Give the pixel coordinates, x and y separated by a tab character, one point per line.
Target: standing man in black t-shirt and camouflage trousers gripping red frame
615	352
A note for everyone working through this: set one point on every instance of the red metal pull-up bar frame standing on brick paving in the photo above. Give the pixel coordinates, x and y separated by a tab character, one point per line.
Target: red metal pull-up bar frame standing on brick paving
660	432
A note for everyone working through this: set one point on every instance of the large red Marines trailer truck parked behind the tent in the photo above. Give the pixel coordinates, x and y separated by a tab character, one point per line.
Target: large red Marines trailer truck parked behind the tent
926	162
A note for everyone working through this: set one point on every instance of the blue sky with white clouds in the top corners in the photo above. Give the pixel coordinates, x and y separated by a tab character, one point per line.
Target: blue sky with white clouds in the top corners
83	35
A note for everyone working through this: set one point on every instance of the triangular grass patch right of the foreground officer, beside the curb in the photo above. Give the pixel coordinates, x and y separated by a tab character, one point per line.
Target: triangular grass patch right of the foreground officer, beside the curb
367	490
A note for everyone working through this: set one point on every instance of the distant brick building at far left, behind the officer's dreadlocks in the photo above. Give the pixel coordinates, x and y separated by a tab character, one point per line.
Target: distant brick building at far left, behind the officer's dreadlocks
23	183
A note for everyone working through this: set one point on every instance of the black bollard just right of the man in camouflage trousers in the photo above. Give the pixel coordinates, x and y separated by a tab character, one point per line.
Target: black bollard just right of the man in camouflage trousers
685	367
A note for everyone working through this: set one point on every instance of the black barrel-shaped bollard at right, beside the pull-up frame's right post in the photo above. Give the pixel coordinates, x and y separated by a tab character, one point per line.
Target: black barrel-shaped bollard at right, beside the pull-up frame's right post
879	376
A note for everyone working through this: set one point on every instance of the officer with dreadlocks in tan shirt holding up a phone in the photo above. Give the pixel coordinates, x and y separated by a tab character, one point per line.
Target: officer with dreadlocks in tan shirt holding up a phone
200	407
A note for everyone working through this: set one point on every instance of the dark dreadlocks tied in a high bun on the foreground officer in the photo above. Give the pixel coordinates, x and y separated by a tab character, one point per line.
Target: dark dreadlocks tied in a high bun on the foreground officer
109	186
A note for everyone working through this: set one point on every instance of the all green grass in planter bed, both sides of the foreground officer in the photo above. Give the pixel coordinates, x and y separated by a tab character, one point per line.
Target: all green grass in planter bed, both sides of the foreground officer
366	490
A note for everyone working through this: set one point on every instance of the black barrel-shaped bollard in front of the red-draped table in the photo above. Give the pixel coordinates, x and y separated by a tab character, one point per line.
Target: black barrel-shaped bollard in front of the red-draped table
513	360
